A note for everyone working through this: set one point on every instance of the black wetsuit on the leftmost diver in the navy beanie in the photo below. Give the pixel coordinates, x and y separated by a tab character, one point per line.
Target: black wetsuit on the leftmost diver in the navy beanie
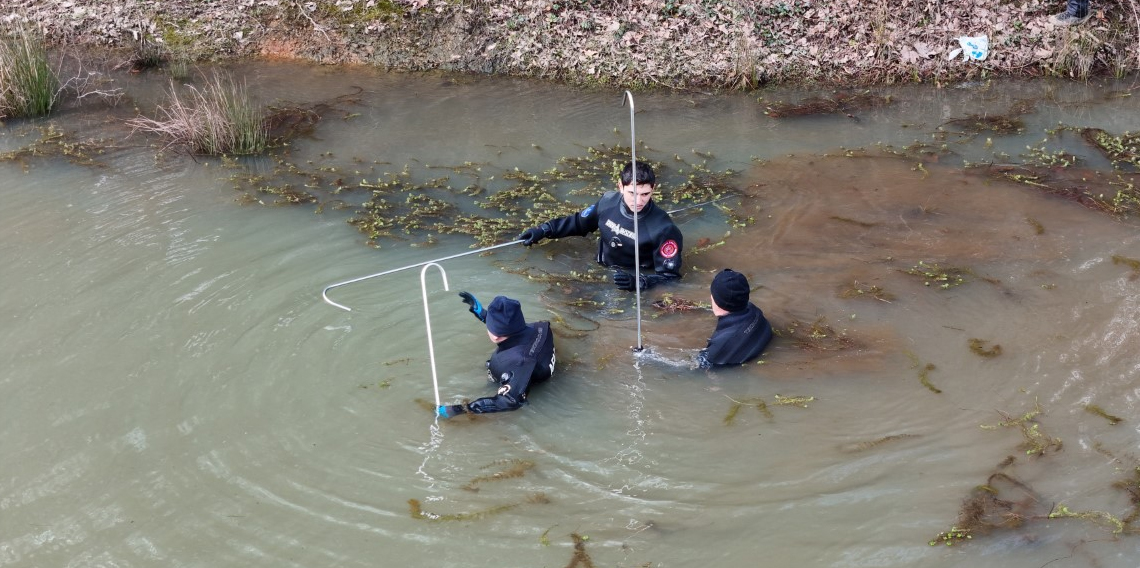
519	362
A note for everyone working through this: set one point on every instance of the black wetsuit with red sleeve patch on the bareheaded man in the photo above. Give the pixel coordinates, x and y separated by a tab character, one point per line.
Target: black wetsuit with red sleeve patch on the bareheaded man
659	239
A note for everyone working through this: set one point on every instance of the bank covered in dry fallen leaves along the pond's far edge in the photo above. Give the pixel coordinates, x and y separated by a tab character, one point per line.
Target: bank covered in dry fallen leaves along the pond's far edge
674	45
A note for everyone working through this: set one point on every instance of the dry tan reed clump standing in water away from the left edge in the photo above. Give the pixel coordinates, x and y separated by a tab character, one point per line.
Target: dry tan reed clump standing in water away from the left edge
219	118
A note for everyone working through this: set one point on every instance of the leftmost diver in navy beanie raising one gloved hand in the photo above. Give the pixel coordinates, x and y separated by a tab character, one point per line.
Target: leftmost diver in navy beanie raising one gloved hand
524	356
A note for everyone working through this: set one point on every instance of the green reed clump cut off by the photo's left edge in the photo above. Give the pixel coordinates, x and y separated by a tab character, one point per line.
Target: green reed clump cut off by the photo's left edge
29	87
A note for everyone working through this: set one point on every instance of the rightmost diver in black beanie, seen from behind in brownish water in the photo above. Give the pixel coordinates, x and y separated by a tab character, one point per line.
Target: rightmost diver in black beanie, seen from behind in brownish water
742	332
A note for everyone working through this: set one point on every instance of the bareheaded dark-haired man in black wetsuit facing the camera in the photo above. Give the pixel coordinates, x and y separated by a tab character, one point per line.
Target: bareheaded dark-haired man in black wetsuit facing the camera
659	241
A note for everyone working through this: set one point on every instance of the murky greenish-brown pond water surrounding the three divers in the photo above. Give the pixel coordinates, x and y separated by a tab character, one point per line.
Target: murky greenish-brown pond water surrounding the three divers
176	393
